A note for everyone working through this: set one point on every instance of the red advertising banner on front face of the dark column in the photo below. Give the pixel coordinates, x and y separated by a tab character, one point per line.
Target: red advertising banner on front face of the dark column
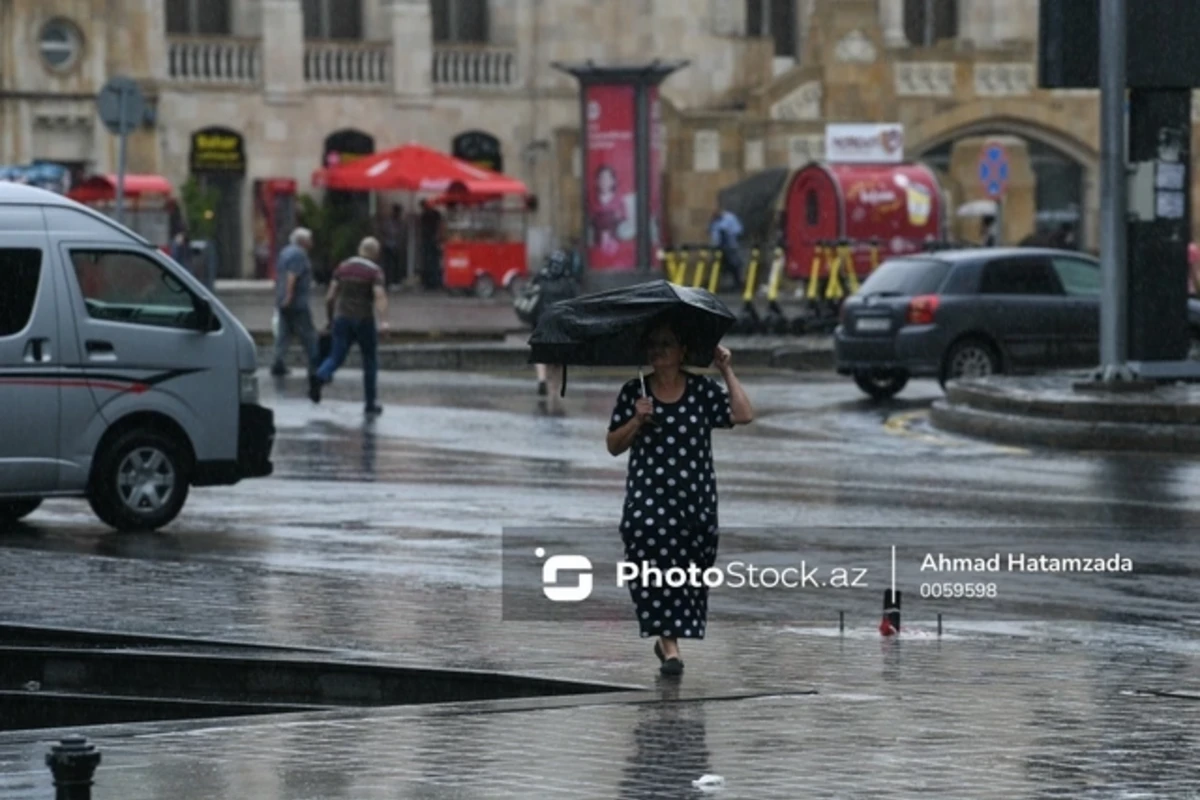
611	178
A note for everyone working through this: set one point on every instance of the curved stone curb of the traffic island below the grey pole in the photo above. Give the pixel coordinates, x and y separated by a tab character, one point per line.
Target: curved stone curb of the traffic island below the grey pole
1067	435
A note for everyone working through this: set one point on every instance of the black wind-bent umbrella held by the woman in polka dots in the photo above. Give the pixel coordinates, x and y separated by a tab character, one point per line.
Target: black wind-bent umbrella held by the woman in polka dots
609	329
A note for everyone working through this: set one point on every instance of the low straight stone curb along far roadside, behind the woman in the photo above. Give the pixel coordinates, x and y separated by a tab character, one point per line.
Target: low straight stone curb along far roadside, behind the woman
484	358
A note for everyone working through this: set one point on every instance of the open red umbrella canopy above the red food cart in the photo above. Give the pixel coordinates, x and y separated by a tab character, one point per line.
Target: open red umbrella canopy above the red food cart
416	169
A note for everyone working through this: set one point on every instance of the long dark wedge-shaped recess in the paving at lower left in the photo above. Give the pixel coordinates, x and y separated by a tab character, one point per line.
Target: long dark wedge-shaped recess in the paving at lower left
52	678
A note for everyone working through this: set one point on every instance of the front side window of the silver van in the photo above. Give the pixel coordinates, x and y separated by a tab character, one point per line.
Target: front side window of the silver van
124	287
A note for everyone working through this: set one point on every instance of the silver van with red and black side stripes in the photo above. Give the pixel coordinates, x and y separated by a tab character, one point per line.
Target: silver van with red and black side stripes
122	378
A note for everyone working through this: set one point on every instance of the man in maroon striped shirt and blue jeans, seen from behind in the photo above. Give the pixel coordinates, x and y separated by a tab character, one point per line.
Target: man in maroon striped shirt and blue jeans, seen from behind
356	302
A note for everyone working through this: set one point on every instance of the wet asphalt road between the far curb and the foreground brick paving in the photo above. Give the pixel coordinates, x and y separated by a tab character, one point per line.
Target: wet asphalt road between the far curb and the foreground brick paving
423	494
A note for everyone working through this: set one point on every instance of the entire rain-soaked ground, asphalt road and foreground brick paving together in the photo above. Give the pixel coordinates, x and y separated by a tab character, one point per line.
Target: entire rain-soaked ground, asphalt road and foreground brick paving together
382	539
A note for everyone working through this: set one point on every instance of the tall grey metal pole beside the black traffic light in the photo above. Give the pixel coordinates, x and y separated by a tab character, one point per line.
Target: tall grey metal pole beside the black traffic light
1114	315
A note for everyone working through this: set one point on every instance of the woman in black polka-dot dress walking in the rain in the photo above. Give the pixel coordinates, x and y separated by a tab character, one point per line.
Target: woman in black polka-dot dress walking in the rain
670	515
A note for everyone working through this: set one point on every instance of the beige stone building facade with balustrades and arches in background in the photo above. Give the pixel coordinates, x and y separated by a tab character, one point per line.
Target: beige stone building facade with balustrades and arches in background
293	79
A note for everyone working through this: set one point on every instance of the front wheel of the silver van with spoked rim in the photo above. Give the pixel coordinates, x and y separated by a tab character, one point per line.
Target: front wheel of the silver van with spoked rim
140	482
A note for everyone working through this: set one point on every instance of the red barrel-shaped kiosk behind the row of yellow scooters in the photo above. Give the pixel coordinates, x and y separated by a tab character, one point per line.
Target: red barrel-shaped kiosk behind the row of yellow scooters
899	208
